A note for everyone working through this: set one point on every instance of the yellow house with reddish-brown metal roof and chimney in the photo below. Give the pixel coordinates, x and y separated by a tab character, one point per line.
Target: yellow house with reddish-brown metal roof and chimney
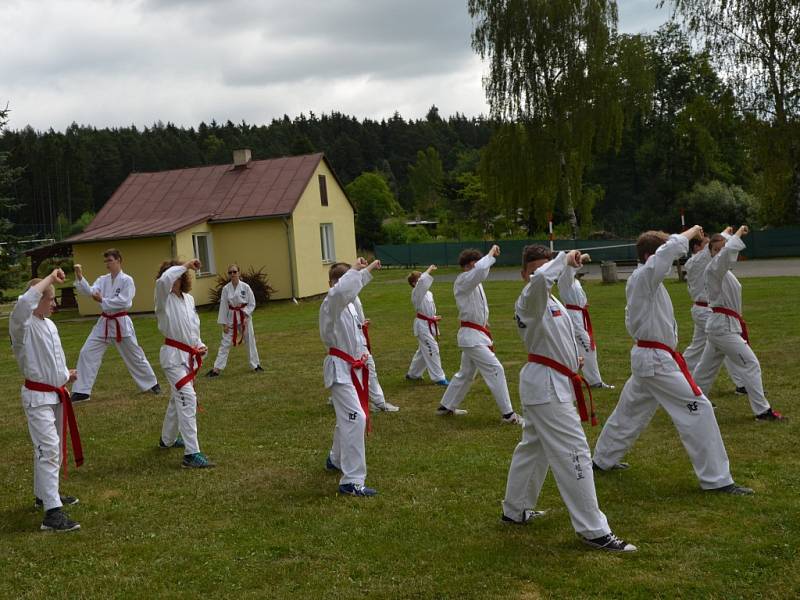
289	216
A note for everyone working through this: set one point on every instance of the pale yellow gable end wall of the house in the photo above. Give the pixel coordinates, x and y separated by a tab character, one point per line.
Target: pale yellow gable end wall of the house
312	271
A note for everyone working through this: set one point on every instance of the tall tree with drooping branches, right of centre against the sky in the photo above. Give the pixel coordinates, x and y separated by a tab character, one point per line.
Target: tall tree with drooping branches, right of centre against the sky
553	82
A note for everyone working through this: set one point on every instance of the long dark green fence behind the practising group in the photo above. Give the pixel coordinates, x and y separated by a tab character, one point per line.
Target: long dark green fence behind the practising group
760	244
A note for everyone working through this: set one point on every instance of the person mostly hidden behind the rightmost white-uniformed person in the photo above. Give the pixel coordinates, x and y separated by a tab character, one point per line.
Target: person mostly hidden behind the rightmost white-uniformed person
695	282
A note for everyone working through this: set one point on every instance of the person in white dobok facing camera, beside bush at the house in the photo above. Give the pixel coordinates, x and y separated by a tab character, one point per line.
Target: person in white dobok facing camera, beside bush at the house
236	306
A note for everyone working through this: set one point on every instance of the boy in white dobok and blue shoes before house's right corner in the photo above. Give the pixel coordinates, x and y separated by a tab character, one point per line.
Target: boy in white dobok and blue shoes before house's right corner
346	375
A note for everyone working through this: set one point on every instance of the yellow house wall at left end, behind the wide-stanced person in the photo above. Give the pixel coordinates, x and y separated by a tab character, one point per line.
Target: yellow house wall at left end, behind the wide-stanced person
140	259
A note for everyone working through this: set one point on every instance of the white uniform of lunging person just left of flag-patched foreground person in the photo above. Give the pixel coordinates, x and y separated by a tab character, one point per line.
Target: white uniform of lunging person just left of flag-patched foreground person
475	352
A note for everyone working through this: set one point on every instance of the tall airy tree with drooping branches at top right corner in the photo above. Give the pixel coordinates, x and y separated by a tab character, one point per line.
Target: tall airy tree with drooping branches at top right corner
756	44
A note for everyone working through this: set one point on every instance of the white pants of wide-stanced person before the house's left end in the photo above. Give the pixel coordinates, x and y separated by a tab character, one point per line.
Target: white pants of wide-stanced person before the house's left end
132	355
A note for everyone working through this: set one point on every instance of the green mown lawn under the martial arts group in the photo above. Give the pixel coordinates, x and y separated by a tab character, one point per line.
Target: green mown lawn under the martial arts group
267	522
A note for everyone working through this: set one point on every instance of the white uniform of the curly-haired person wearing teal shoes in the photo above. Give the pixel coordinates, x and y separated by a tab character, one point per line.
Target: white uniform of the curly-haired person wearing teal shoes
178	320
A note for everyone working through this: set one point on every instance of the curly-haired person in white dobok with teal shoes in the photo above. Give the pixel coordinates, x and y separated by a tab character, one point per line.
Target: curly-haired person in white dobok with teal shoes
181	358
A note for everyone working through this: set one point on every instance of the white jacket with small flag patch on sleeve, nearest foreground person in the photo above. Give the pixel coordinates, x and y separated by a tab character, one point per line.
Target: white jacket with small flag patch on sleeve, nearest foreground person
546	329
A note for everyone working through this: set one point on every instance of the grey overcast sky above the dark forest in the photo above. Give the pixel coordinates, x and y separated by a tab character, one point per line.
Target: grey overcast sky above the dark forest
122	62
